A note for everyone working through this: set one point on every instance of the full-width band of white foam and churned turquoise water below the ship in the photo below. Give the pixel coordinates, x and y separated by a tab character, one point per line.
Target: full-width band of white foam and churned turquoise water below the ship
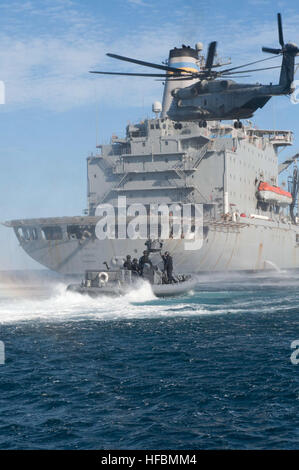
49	301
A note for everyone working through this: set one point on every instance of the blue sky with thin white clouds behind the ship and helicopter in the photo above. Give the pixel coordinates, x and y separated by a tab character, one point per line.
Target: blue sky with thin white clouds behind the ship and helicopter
49	121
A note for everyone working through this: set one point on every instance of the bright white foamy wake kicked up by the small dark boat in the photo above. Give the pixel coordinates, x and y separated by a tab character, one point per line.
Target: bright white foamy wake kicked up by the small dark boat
61	305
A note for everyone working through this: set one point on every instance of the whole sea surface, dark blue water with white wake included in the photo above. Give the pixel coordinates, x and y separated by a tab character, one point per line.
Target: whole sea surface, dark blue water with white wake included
207	370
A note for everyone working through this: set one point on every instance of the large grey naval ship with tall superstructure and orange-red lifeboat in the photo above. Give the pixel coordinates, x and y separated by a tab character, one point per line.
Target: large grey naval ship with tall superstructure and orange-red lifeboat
250	222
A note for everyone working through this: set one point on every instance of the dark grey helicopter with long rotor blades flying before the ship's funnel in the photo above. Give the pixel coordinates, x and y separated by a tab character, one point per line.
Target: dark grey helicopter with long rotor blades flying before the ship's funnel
201	93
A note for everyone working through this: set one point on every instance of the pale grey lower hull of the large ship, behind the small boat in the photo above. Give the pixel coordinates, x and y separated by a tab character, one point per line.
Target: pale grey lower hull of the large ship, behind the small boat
250	244
